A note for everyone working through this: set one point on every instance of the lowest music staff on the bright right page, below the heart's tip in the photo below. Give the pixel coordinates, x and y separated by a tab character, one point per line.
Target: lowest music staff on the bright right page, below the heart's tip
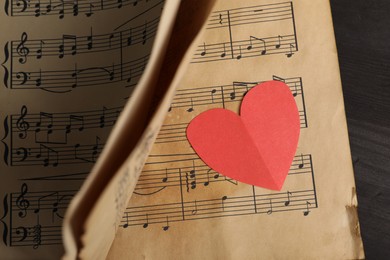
226	206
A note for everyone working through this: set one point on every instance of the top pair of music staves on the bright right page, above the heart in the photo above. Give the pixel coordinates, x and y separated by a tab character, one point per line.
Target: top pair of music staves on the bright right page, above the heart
251	45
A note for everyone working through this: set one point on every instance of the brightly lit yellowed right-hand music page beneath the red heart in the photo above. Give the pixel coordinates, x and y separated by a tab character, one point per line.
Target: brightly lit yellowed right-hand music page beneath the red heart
183	209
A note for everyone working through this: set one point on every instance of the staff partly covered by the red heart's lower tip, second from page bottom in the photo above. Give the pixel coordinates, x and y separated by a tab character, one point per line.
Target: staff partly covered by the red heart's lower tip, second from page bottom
197	173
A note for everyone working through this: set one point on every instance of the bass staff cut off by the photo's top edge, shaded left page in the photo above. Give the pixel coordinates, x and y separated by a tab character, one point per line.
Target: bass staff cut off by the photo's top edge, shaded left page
62	8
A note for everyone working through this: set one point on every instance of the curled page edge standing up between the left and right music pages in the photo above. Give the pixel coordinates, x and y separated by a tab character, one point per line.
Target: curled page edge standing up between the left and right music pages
94	215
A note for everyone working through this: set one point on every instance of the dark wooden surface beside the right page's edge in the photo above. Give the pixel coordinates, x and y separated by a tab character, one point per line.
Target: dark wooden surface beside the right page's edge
362	29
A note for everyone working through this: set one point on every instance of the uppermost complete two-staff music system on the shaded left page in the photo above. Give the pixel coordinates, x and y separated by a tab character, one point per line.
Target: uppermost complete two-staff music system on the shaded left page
25	58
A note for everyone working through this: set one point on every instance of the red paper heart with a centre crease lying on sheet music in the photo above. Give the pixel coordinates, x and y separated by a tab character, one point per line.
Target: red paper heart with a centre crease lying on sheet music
257	147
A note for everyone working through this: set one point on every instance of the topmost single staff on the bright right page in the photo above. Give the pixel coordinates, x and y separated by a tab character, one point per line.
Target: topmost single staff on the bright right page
250	15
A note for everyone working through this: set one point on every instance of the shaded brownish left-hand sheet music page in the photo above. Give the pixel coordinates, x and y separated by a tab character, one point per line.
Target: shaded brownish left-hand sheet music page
68	69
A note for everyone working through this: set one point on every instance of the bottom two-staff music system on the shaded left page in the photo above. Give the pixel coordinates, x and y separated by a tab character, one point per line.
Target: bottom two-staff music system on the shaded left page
34	217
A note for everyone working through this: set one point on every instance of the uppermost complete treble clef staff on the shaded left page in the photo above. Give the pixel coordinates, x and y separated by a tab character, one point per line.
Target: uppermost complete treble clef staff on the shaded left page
75	45
